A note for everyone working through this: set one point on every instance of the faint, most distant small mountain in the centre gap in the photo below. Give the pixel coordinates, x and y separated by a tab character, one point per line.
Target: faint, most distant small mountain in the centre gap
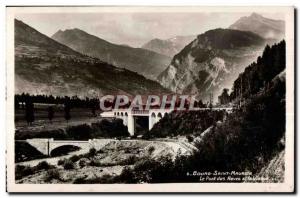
168	47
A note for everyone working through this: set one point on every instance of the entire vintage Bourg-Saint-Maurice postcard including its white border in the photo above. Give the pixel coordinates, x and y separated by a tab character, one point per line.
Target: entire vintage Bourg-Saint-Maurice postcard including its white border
150	99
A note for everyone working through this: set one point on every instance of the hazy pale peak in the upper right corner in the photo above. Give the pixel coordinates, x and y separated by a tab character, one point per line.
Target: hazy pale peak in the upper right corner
267	28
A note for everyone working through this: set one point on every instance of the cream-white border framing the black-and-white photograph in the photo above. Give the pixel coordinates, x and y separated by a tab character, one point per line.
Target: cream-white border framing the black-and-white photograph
287	186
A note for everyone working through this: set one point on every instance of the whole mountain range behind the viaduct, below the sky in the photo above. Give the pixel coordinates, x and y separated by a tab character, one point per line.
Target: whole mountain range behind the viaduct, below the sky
75	62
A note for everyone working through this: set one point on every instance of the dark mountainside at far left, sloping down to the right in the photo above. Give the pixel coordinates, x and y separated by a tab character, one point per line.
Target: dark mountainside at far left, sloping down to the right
44	66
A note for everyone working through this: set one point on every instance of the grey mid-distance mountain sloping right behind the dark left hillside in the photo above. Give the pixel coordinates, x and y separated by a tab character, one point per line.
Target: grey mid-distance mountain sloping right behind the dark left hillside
145	62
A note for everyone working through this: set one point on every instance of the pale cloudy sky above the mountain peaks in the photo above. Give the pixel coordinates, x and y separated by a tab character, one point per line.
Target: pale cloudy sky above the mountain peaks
134	29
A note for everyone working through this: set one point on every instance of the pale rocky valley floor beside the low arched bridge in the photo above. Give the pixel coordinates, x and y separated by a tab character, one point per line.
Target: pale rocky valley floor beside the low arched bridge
110	160
